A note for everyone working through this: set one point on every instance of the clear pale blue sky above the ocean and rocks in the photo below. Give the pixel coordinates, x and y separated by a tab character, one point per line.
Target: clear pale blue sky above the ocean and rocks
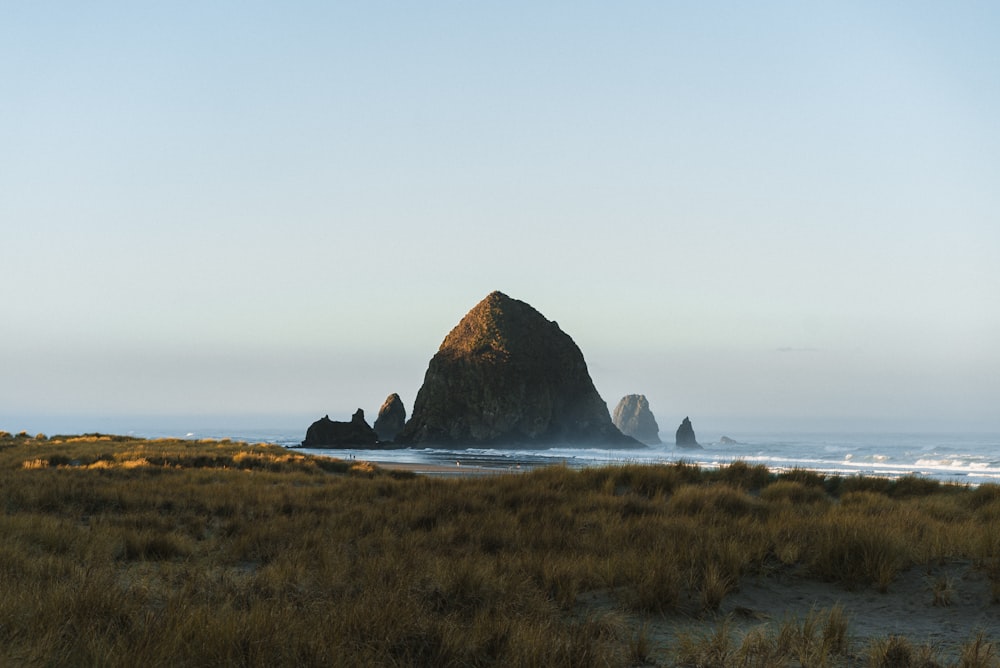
772	212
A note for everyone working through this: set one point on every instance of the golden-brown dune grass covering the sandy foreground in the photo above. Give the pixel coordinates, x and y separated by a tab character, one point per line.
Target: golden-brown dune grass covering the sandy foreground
122	552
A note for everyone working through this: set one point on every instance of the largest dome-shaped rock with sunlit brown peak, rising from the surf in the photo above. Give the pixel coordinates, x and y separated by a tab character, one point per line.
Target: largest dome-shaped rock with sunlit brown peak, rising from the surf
507	376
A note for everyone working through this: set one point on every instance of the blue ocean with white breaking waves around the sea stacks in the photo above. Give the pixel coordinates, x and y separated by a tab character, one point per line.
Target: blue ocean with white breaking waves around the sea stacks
964	457
